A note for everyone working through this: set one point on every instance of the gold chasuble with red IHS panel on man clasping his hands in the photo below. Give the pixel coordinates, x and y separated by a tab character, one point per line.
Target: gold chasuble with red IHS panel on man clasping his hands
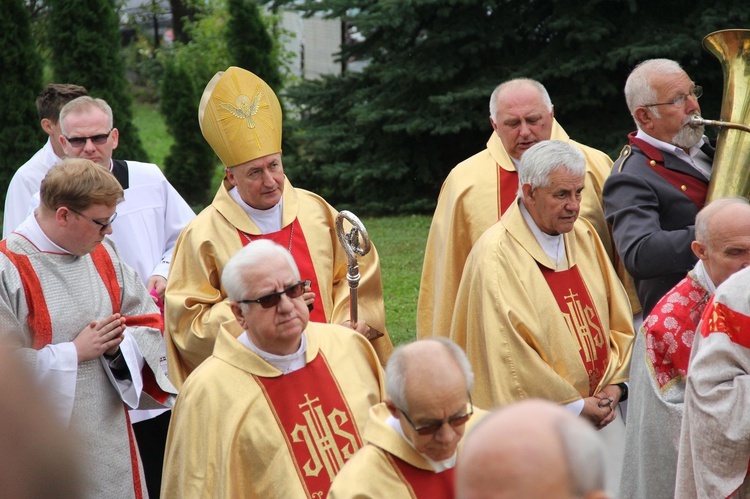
525	336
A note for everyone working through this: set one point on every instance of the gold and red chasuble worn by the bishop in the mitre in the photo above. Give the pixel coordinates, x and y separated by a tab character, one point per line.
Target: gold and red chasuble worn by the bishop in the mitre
197	304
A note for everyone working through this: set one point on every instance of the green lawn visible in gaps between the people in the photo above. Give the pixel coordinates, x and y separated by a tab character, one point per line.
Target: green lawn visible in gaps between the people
400	240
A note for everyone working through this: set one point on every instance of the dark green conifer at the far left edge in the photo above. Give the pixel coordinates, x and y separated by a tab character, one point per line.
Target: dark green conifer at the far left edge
20	133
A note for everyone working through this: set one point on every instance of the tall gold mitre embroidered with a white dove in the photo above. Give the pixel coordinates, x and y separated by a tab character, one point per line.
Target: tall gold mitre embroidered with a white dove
240	117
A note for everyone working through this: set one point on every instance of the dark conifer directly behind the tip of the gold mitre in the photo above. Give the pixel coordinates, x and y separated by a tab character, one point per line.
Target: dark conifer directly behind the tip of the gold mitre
249	43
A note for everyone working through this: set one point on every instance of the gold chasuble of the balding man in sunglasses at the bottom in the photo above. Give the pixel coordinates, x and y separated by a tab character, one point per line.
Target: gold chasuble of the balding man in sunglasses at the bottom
387	466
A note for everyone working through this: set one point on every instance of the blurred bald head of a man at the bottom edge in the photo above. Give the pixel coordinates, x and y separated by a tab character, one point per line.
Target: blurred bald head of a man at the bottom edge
533	448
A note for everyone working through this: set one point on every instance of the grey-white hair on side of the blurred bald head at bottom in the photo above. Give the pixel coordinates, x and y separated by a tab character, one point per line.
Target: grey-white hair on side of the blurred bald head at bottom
584	454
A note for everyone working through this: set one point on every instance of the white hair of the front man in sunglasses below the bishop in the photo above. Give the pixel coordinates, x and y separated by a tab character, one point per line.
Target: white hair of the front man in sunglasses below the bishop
255	253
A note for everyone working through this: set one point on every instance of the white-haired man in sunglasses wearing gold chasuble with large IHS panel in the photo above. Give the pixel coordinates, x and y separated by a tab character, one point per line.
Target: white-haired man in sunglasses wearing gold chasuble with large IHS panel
281	404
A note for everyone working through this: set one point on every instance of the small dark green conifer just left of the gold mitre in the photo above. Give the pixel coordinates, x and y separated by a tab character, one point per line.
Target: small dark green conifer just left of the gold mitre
189	166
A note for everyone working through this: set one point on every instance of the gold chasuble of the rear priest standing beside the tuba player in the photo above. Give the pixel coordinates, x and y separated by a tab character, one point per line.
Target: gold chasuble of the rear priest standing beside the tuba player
473	197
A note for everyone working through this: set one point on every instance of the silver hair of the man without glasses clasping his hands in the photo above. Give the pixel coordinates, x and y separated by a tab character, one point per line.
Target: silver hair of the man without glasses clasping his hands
543	158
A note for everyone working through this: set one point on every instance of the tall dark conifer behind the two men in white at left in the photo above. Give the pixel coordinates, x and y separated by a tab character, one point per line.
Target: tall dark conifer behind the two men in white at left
84	40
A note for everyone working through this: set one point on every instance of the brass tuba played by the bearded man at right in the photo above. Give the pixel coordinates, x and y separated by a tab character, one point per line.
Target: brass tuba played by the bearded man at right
731	166
